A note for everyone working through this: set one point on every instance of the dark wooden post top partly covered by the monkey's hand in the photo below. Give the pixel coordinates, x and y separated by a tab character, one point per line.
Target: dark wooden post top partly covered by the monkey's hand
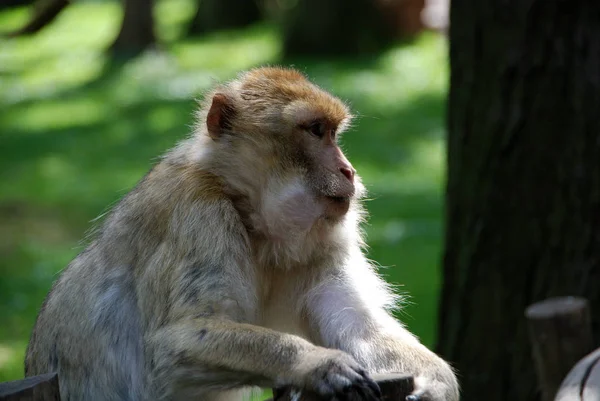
394	387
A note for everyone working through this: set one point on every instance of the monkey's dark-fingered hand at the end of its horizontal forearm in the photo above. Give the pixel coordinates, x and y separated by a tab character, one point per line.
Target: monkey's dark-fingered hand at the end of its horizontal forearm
334	373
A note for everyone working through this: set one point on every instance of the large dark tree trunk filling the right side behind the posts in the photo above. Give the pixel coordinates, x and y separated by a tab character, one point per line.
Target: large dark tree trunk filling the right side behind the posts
523	191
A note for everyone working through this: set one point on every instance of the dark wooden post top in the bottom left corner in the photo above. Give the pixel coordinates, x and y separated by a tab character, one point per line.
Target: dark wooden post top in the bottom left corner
34	388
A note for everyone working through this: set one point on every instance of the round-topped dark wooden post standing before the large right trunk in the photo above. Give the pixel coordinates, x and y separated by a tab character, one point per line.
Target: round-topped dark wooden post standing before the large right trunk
561	334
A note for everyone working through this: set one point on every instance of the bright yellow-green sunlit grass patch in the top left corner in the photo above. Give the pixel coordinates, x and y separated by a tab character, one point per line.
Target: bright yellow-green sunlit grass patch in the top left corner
57	59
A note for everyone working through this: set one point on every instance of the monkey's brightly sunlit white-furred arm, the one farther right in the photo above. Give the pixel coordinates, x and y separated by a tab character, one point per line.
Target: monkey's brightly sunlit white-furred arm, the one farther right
349	312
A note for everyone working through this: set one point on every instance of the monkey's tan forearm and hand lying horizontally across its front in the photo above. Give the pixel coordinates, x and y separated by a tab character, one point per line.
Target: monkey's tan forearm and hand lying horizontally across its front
218	353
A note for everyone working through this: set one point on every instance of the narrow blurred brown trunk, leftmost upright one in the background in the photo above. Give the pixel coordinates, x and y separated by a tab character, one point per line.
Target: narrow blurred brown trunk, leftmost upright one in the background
137	29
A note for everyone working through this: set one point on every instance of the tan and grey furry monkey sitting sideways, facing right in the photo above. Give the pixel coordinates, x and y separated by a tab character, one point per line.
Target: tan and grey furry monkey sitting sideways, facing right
237	261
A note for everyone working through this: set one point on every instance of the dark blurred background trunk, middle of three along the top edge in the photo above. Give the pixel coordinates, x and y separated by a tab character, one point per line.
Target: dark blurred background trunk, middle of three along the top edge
215	15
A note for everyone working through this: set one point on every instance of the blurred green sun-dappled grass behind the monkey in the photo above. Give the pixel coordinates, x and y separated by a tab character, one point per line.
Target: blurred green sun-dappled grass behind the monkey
76	133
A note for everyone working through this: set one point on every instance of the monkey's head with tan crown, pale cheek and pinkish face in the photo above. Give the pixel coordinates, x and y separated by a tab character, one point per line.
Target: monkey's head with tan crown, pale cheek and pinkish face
273	137
